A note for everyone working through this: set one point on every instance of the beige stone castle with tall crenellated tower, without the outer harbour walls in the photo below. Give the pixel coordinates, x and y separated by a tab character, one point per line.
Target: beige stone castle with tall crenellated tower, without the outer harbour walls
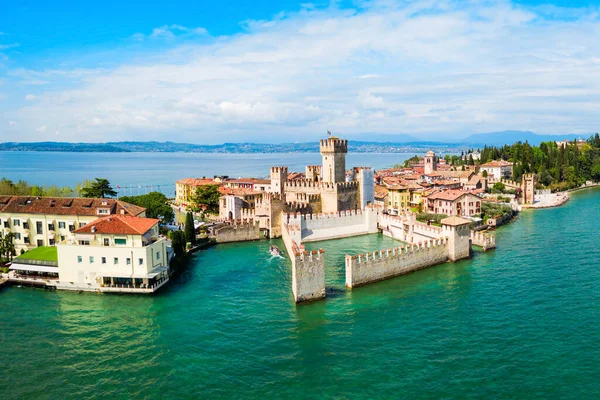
325	188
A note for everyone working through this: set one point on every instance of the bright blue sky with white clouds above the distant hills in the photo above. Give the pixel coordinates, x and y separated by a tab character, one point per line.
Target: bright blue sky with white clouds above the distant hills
285	71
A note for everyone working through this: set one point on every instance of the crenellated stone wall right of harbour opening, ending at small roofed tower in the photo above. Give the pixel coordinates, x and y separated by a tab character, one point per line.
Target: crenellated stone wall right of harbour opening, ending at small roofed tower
372	267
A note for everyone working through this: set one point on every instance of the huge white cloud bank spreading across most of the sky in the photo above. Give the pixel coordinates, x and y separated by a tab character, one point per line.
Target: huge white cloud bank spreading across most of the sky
416	67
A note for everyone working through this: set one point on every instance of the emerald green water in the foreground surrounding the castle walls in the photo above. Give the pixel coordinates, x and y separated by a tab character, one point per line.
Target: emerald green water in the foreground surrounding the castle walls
519	322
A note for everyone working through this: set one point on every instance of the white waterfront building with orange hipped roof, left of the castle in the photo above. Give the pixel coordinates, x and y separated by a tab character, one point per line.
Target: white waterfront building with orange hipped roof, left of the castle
114	254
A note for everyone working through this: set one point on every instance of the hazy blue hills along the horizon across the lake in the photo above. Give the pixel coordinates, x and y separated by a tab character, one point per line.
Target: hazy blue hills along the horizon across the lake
377	143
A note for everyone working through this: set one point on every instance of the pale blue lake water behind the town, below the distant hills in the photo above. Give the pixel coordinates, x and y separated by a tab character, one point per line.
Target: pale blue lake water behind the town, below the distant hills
137	173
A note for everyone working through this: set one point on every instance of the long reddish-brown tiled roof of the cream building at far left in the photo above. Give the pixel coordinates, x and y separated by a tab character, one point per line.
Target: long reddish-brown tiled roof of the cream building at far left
65	205
